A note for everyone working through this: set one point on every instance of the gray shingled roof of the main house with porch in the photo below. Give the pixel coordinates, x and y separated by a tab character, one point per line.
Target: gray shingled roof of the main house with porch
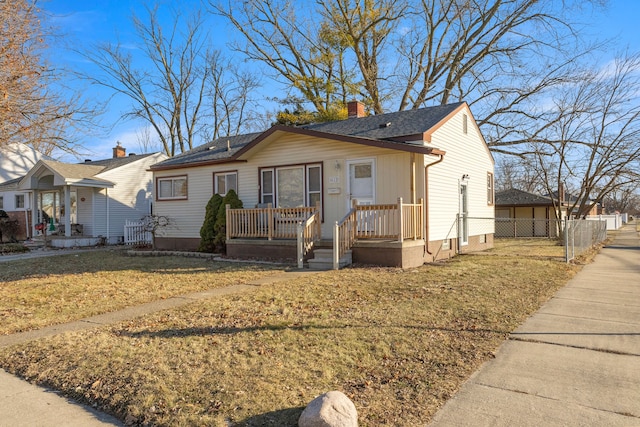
401	123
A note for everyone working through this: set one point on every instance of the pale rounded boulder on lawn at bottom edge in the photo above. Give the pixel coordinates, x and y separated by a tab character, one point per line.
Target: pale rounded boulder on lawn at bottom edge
332	409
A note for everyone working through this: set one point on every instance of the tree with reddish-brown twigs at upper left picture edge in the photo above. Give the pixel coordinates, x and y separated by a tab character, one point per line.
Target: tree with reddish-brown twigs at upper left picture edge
35	107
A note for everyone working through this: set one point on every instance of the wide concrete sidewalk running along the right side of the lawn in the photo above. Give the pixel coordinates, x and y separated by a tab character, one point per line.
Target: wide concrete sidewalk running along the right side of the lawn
576	362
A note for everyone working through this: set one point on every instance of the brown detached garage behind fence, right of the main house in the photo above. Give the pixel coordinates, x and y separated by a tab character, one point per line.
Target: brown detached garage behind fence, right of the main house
523	214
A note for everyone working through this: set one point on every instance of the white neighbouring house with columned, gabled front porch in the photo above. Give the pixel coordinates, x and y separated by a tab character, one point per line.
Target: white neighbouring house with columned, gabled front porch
88	203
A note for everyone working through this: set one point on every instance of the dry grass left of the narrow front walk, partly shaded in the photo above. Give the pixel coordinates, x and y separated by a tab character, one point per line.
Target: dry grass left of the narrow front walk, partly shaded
50	290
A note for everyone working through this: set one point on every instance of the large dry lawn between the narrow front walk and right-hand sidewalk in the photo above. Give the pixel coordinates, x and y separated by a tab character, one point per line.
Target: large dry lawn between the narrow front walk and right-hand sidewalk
399	343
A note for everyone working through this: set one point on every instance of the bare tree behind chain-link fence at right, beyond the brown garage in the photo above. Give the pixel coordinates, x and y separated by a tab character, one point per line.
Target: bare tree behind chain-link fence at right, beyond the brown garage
589	140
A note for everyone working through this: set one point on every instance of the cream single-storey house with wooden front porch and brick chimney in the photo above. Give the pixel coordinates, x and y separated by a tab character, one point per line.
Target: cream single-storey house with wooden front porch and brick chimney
390	186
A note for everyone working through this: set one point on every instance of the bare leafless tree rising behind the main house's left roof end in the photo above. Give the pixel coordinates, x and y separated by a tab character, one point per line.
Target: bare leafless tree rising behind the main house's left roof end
176	83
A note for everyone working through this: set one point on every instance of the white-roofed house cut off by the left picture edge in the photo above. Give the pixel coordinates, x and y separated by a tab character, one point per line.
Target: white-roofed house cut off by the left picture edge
15	161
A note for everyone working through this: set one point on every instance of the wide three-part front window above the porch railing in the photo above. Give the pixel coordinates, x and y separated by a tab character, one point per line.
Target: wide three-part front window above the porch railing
291	186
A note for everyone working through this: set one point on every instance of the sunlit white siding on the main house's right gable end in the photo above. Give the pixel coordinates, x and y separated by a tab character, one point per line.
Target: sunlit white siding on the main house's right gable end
465	154
